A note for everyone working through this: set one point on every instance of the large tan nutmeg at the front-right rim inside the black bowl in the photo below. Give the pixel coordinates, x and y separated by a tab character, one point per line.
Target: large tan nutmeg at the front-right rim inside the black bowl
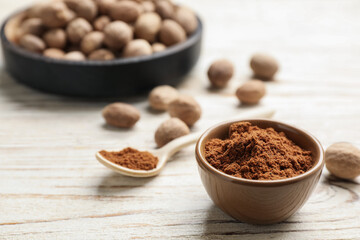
171	33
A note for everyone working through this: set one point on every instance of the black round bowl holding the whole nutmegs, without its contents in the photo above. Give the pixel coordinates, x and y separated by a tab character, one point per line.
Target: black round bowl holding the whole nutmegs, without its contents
116	78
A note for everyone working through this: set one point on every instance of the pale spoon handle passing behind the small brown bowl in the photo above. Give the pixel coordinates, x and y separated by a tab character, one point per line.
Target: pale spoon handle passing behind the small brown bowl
182	142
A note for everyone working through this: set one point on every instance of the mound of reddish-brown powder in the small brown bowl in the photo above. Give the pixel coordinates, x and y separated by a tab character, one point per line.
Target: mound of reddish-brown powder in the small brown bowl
259	154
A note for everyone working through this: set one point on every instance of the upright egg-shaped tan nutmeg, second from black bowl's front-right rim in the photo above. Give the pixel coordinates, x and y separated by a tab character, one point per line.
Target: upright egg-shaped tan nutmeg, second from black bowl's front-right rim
147	26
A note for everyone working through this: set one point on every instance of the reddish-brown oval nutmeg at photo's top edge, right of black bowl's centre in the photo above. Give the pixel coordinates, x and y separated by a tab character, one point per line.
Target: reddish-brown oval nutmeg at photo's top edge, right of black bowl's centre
127	11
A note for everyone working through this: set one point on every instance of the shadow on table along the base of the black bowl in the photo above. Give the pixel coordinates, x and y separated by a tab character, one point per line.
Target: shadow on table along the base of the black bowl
27	97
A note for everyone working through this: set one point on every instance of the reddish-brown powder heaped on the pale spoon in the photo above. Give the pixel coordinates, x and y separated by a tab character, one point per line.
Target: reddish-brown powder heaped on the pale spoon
132	158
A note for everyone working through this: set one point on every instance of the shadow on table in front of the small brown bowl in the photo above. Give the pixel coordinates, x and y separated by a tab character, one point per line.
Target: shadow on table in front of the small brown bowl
219	225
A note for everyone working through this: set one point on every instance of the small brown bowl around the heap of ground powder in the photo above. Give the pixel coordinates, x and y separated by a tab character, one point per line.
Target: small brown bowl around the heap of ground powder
260	201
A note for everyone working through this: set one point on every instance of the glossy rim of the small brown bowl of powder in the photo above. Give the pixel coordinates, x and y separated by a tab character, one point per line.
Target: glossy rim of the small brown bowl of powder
259	183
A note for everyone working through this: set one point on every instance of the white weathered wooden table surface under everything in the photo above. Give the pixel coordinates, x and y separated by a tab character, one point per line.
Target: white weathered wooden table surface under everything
52	187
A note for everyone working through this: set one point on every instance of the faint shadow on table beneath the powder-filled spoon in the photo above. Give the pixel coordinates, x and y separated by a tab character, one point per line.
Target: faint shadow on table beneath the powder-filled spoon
115	183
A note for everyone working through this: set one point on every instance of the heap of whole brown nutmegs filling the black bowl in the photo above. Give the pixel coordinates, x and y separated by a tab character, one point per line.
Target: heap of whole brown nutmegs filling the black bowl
126	28
